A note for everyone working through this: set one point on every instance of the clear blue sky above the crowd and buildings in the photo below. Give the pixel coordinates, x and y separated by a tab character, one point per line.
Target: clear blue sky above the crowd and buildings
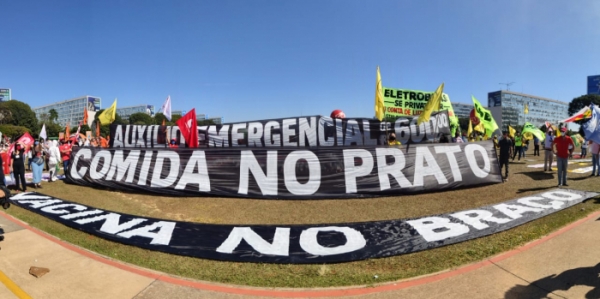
246	60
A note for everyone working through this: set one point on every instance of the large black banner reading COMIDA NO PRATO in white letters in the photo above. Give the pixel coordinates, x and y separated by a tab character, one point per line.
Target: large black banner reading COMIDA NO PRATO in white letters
310	173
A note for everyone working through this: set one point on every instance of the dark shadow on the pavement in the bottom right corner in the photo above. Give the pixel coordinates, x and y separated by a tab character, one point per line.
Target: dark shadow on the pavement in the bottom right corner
541	288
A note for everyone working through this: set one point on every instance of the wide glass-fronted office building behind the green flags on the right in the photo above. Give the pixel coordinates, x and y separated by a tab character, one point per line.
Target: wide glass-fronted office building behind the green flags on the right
508	108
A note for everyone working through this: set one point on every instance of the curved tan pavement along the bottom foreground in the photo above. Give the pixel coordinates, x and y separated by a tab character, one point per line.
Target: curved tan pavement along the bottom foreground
565	264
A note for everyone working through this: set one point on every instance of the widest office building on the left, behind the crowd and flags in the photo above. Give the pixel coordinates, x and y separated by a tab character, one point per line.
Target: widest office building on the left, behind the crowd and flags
70	111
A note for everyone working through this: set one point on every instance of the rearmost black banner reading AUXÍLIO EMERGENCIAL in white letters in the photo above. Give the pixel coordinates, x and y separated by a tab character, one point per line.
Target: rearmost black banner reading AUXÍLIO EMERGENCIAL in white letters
309	131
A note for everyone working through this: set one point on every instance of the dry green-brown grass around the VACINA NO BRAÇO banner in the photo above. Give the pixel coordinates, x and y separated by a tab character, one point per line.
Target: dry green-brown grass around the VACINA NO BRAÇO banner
523	181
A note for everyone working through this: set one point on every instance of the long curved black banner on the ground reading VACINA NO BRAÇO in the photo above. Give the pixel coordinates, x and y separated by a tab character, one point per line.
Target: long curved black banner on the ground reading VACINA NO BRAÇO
301	244
